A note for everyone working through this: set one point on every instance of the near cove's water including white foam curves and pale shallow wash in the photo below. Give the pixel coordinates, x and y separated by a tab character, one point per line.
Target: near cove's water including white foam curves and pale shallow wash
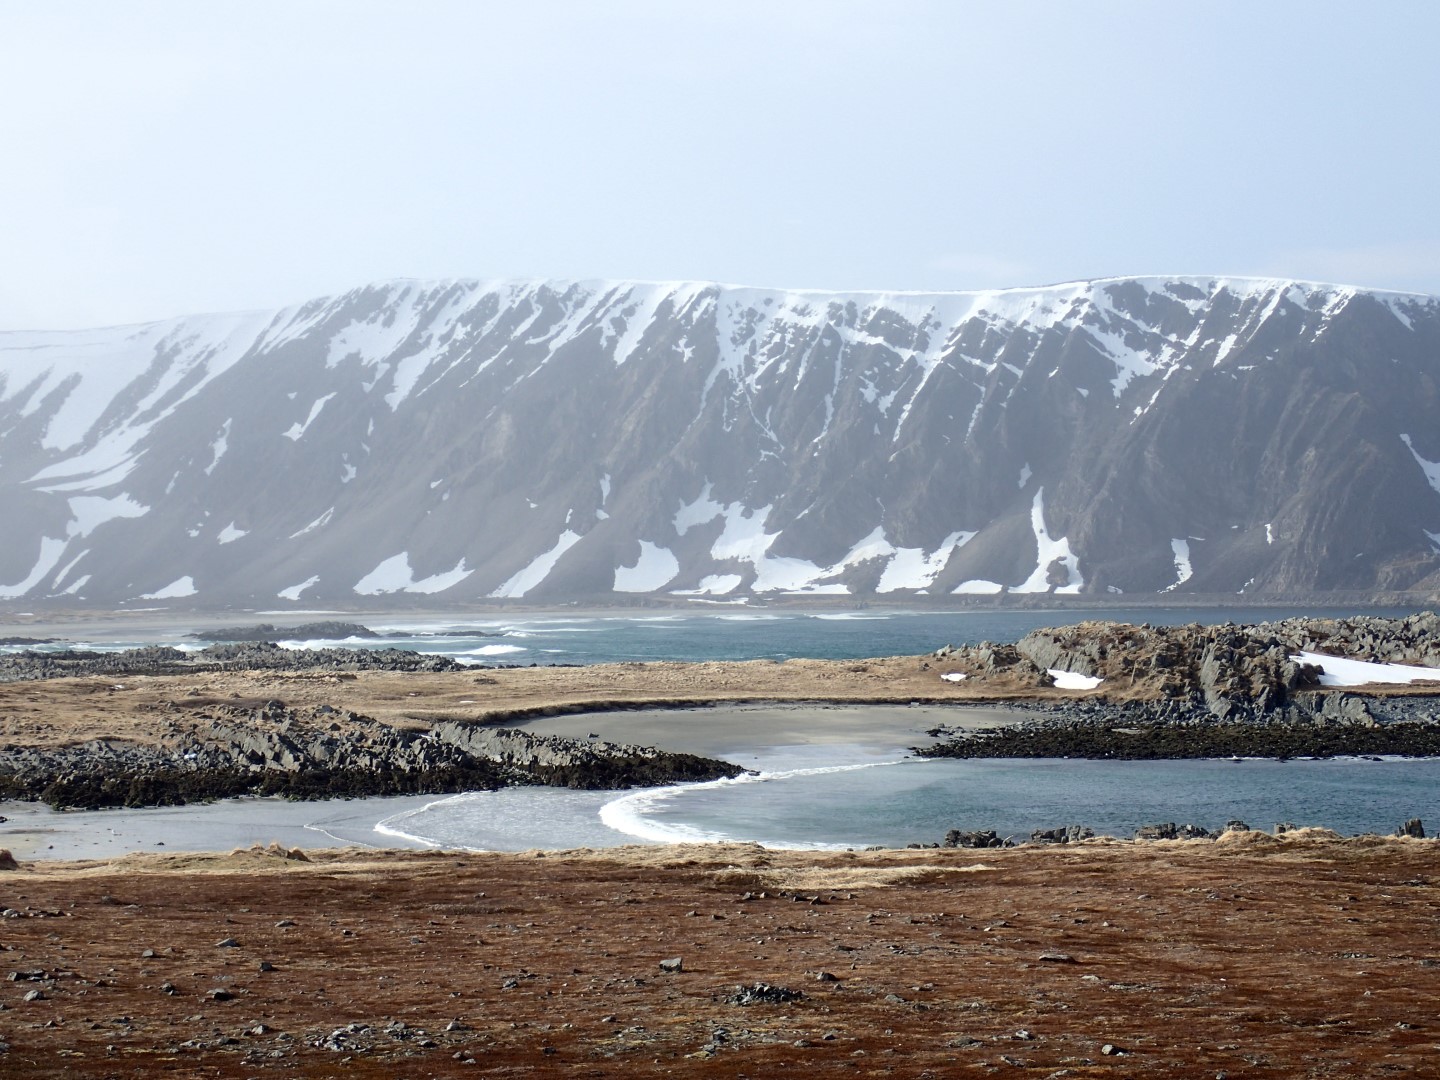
836	797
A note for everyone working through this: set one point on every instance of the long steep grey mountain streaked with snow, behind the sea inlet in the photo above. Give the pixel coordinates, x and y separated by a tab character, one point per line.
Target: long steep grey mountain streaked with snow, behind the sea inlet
447	443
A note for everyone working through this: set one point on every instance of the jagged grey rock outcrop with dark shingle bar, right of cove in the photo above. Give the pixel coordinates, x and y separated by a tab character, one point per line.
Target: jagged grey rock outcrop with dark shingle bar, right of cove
1209	692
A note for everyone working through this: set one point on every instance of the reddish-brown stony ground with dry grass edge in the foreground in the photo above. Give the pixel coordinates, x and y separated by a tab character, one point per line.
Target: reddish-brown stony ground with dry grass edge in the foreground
1249	957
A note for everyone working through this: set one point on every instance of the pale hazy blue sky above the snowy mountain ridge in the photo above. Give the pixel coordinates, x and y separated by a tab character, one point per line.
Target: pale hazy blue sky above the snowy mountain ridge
172	158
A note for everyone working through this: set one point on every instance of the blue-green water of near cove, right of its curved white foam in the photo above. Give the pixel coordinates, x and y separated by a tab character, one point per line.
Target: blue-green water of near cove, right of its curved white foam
919	801
